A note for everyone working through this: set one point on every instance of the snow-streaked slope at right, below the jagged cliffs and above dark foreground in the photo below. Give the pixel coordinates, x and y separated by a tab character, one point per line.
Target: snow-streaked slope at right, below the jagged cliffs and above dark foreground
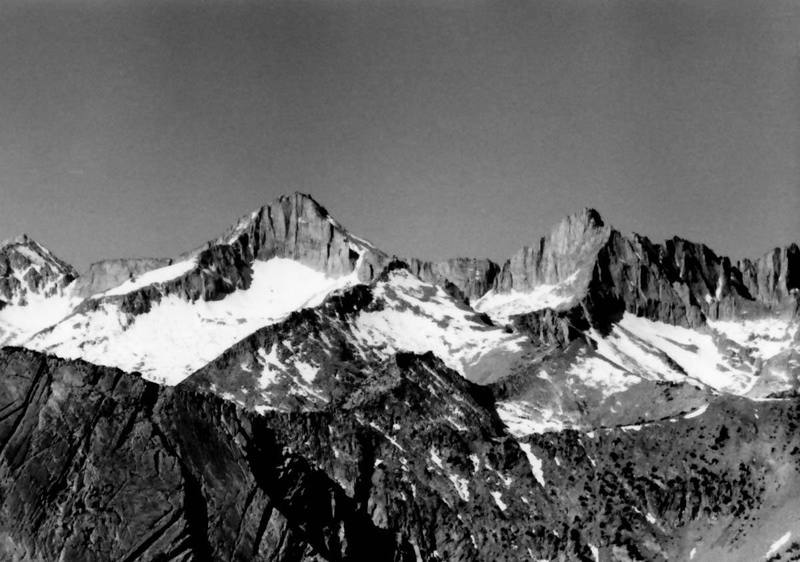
646	370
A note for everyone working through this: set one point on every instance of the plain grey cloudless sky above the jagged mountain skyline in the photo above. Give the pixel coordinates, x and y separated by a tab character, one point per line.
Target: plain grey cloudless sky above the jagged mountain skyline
434	128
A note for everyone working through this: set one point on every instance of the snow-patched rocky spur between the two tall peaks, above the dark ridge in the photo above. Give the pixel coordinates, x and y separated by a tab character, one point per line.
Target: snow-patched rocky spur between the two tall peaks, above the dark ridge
300	363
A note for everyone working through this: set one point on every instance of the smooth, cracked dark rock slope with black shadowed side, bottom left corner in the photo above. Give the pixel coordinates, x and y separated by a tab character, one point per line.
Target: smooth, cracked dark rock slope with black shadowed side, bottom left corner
99	465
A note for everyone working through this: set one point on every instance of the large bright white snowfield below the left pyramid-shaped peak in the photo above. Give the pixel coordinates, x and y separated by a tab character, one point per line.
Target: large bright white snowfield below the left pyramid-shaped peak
176	337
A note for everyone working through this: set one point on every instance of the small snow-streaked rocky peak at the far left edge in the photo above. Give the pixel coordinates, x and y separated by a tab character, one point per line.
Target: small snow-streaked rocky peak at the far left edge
28	270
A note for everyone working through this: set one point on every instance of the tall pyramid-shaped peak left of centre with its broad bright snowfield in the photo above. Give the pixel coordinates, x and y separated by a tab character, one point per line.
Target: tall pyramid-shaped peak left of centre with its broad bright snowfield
284	256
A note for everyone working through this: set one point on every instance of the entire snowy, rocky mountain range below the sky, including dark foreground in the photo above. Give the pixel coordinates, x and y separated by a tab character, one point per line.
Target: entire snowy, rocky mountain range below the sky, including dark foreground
289	391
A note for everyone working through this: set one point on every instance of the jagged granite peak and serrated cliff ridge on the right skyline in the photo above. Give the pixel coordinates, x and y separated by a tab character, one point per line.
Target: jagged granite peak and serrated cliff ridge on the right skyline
678	282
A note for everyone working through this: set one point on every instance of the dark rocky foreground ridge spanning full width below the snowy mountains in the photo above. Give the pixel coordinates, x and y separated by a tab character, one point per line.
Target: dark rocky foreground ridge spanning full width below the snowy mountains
99	465
